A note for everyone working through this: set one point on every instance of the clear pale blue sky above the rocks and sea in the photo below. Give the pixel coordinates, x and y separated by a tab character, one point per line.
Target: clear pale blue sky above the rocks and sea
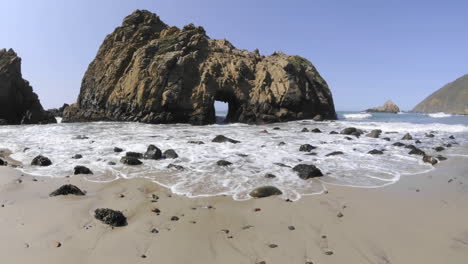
367	50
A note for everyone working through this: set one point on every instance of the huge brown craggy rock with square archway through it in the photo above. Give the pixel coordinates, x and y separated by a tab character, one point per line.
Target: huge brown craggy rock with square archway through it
151	72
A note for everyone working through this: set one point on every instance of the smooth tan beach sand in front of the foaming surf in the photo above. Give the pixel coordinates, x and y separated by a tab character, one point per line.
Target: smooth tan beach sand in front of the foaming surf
420	219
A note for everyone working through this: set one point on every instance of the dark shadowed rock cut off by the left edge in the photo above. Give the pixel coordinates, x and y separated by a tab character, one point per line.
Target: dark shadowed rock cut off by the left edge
18	103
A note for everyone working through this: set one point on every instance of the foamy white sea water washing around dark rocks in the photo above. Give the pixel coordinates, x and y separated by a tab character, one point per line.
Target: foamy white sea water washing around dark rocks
257	154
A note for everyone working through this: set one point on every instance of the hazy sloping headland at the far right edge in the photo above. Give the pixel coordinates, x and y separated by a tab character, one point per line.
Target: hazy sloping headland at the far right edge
451	99
